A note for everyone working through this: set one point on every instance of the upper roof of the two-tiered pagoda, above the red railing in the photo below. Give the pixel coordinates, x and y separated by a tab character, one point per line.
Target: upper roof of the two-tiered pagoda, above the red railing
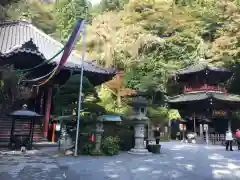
201	67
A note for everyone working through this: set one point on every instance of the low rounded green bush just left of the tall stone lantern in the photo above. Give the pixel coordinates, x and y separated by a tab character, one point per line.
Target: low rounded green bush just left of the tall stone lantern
110	145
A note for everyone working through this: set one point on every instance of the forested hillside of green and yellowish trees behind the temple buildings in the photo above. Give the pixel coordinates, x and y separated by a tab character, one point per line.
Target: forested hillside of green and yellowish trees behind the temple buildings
147	39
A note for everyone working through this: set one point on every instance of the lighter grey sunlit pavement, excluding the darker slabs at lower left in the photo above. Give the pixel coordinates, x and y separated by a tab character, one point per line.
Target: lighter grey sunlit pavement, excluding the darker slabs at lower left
178	161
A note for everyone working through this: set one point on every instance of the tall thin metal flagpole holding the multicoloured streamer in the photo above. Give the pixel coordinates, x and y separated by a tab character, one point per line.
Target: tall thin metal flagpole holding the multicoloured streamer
80	87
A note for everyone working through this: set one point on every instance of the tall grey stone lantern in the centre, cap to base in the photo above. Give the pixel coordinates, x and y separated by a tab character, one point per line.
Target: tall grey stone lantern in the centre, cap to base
139	105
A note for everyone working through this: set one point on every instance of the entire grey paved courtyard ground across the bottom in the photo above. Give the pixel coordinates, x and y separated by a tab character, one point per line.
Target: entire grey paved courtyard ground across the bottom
178	161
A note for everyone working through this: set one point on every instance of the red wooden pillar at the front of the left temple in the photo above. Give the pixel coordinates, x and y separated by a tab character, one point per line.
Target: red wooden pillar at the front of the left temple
47	110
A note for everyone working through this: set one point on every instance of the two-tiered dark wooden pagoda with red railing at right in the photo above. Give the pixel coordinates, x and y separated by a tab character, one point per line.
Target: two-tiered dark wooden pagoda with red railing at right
204	100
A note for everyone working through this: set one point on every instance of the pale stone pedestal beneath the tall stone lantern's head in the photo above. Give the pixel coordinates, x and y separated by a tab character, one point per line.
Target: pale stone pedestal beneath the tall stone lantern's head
139	147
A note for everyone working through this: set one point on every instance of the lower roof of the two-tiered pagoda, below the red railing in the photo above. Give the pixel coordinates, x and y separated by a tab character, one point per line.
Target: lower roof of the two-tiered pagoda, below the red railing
198	96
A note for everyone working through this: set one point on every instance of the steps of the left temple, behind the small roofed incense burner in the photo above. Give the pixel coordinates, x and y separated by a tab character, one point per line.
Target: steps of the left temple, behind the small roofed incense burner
20	127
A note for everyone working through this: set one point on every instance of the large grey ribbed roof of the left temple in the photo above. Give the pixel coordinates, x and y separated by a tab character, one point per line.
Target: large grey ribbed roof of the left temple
13	34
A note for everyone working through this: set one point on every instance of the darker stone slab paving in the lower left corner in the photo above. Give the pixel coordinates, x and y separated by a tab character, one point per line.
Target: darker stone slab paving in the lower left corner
40	165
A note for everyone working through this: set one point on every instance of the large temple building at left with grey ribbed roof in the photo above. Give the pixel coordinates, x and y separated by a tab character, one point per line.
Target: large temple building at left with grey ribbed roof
24	46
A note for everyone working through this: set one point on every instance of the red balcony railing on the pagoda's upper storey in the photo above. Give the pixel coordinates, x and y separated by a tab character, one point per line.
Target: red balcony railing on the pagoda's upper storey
205	87
